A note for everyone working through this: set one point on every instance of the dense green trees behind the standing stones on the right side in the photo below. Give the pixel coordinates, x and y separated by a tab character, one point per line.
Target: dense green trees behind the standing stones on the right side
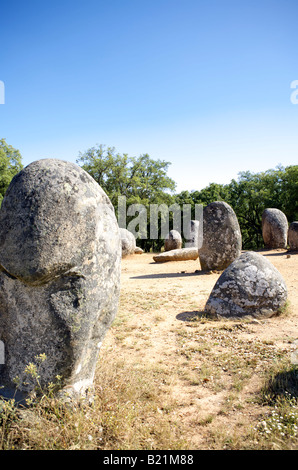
249	196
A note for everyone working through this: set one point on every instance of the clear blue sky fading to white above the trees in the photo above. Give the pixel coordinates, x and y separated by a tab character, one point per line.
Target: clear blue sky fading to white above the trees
204	84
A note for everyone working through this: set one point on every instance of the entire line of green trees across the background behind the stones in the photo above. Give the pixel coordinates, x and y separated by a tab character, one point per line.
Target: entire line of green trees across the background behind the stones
143	180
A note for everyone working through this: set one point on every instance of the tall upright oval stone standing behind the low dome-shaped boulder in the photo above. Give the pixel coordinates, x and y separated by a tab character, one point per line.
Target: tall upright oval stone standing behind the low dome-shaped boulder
222	239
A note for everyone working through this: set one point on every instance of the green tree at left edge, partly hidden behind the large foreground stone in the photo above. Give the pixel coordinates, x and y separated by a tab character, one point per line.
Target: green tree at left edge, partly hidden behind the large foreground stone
10	165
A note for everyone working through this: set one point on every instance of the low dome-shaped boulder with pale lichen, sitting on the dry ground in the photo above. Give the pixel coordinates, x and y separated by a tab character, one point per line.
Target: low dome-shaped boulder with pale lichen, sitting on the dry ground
250	286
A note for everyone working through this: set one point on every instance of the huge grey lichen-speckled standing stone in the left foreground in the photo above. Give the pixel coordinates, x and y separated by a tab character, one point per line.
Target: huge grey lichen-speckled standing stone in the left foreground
60	256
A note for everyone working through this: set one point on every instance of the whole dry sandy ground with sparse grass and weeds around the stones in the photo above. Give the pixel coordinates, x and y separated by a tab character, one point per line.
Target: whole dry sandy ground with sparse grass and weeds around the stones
171	378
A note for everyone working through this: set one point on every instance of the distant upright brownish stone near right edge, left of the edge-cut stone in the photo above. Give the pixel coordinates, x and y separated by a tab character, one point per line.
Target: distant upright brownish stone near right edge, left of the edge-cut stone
274	228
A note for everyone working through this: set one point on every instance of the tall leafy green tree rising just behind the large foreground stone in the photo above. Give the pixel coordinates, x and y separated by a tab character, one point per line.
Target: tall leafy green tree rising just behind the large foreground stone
141	180
